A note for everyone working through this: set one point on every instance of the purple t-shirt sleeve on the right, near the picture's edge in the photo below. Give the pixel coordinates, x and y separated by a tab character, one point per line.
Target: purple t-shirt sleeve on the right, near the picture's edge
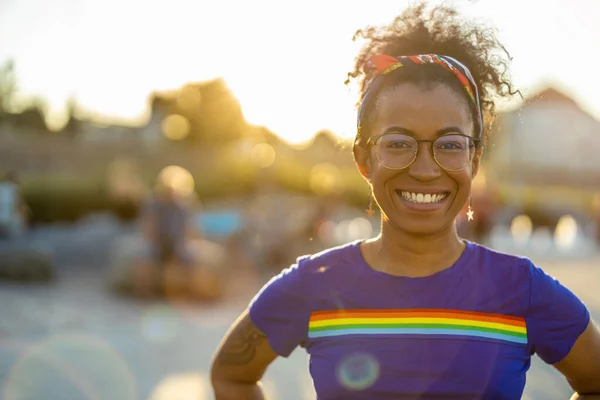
556	317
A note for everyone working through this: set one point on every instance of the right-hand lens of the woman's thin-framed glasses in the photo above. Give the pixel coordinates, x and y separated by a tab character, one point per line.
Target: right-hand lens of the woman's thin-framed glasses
454	152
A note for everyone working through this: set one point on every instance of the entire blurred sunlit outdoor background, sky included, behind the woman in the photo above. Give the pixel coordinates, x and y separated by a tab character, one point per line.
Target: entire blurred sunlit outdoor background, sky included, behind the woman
226	128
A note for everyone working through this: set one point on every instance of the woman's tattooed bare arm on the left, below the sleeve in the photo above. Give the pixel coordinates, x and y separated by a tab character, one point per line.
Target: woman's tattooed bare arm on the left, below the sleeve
240	362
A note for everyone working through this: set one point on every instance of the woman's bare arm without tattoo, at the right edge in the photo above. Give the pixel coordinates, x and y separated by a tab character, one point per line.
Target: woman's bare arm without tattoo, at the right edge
581	366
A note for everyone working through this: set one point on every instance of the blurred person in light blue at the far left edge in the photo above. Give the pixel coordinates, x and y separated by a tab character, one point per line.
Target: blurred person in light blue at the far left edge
13	208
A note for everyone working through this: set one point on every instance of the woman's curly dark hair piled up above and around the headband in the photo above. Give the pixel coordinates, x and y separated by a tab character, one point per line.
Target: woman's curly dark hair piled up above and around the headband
440	30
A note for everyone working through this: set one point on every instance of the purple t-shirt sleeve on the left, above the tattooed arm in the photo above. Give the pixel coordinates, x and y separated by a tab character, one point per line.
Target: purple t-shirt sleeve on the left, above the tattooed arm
281	310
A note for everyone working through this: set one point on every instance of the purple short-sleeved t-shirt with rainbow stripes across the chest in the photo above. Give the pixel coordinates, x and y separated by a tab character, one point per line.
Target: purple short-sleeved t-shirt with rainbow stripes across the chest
467	332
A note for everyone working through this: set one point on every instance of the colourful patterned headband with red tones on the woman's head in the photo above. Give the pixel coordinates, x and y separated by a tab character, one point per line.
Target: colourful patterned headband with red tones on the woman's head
382	64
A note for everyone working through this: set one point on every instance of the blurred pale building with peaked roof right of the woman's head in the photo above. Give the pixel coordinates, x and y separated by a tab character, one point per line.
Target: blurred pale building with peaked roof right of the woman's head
550	137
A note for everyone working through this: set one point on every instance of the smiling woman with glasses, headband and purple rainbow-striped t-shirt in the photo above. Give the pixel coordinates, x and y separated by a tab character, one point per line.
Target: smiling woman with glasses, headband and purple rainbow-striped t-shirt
416	312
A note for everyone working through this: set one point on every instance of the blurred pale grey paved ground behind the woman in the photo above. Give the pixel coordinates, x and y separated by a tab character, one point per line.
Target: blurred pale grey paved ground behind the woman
73	340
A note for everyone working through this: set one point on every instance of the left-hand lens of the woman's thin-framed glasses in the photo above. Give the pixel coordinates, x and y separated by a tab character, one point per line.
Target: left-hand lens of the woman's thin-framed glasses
396	150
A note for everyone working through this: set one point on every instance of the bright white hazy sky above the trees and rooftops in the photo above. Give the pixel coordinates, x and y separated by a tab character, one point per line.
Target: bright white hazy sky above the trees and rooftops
286	61
